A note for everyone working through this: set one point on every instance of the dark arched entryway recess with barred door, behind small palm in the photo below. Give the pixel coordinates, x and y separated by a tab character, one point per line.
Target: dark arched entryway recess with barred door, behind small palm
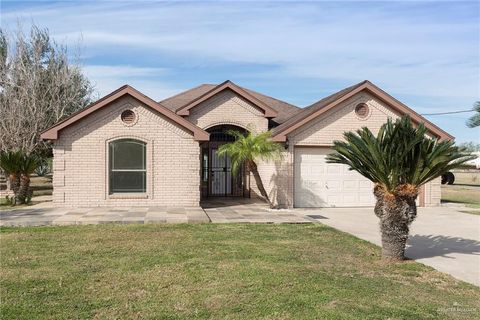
218	179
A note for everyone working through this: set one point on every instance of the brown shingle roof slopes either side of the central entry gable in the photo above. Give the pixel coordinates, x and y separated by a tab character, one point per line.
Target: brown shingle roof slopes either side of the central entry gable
284	109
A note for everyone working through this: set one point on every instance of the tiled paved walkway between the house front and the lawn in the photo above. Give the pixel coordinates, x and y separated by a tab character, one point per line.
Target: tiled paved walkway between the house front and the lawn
216	211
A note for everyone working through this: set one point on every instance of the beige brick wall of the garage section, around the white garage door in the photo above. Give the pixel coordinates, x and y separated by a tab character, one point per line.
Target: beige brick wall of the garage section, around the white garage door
322	132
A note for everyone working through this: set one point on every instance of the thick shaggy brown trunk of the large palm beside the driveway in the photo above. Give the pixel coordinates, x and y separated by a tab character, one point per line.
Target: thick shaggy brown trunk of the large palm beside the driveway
396	213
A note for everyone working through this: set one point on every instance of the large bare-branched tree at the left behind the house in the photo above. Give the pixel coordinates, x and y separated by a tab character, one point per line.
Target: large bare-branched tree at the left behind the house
39	85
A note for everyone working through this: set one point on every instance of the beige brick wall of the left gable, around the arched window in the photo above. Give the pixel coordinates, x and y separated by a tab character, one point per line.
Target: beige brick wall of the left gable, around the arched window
81	157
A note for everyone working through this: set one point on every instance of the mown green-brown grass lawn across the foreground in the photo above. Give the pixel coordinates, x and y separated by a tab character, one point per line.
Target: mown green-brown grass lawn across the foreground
236	271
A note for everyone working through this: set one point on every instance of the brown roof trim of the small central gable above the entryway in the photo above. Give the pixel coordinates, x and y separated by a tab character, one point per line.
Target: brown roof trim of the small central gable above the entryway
228	85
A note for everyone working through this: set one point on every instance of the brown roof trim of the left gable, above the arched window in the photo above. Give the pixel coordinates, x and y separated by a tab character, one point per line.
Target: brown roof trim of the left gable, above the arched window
52	132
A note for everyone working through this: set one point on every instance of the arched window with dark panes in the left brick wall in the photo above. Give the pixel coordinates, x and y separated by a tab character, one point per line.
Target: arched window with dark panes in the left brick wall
128	166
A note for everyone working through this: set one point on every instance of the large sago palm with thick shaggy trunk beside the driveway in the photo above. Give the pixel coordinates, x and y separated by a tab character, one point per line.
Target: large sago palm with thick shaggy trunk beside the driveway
399	160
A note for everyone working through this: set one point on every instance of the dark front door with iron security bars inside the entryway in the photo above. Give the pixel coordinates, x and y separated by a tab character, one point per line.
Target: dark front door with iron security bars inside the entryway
221	174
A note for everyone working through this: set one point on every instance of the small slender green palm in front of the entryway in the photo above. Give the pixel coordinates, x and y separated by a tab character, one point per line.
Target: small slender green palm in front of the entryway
249	149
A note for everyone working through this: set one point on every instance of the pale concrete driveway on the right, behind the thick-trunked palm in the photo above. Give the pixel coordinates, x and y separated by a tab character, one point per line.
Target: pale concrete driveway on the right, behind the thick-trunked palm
440	237
